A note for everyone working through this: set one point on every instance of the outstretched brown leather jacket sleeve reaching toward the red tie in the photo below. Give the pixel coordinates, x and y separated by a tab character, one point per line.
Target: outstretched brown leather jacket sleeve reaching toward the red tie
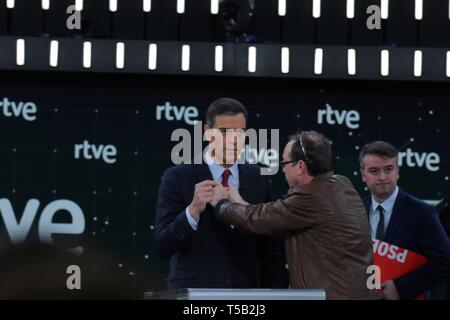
298	210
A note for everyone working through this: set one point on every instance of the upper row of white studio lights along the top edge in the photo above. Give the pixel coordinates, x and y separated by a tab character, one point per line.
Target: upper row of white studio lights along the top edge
282	8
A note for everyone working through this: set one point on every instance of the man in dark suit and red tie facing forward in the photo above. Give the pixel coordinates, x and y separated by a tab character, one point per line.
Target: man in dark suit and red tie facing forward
204	252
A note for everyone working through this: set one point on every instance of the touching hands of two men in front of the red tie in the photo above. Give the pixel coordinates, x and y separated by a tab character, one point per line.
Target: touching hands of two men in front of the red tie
211	192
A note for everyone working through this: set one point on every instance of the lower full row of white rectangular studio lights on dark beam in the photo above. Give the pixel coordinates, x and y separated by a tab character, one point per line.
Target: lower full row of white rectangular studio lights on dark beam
218	59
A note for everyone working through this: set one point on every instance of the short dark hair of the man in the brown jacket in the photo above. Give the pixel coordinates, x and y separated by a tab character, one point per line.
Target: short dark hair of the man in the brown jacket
317	151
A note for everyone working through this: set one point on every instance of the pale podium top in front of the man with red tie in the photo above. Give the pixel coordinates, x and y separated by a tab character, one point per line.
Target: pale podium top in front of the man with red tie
237	294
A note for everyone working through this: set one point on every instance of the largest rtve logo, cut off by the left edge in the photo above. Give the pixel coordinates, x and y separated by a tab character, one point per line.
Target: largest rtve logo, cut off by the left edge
18	230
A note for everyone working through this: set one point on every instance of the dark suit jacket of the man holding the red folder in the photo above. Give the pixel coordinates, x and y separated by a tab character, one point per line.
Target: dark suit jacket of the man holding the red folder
414	225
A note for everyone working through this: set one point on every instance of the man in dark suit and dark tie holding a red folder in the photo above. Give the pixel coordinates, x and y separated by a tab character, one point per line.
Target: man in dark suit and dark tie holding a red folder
400	219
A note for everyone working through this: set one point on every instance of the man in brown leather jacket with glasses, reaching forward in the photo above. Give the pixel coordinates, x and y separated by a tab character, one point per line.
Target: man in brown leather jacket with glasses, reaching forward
322	218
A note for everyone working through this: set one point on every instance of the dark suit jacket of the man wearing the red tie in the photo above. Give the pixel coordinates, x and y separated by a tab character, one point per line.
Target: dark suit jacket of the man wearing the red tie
214	255
